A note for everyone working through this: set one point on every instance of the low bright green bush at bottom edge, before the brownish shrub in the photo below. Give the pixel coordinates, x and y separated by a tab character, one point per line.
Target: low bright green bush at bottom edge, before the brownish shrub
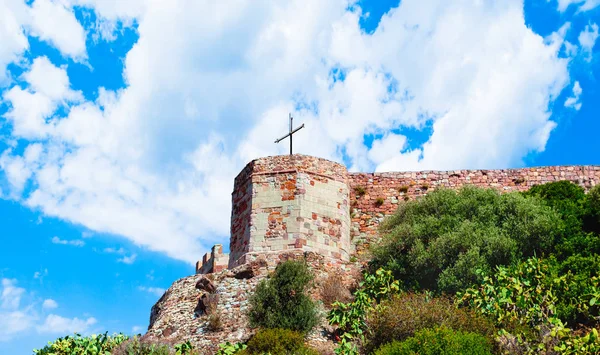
440	341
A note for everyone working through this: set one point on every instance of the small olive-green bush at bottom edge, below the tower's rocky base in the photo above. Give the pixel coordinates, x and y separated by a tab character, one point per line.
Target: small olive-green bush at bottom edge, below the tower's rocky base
278	342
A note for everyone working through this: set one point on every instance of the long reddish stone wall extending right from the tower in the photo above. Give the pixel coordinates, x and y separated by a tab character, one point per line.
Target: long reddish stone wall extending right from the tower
375	195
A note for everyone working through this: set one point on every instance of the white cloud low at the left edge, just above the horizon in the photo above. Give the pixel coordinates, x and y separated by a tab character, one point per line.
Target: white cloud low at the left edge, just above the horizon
17	318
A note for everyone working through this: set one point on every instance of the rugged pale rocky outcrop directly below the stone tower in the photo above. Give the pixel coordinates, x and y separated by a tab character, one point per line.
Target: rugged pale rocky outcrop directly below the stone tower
179	316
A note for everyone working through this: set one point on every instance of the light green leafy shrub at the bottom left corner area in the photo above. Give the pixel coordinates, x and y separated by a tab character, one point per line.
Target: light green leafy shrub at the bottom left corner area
76	344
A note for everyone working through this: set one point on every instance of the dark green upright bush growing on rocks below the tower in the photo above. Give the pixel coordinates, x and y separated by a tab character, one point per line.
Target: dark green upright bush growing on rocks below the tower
281	301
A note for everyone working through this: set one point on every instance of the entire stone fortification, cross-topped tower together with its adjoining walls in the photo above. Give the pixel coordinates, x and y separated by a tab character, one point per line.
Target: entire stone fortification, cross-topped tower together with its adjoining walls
303	203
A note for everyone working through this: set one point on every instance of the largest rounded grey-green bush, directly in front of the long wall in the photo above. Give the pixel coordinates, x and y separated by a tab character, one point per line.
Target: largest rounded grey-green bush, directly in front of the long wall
438	242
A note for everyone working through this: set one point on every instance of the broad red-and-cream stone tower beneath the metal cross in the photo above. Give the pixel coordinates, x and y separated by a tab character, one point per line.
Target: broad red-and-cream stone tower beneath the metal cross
290	202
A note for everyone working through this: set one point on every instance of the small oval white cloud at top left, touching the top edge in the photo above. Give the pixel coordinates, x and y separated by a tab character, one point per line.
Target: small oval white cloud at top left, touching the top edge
53	22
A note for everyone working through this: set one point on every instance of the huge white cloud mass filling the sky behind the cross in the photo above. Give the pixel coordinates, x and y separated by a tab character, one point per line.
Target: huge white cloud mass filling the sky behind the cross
155	161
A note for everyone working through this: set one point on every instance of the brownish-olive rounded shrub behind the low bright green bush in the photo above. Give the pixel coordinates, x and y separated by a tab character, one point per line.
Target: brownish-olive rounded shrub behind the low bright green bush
406	314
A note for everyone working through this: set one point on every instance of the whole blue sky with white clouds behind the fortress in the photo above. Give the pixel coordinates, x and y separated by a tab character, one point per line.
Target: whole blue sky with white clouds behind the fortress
123	124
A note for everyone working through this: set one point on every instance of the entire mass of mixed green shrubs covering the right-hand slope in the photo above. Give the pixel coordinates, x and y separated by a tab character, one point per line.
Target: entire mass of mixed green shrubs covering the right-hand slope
522	268
